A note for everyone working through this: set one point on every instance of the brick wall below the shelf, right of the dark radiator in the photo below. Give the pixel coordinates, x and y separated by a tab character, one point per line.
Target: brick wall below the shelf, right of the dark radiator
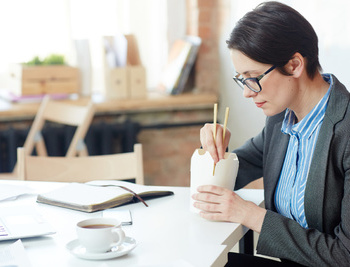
167	154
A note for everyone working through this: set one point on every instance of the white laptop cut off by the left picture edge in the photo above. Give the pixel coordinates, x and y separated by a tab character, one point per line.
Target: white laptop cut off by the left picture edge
22	222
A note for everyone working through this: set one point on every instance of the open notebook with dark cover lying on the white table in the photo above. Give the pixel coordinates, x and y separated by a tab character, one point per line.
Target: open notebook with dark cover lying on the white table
99	195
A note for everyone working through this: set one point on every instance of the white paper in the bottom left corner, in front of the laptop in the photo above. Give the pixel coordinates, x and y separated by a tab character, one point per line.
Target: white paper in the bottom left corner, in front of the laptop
14	255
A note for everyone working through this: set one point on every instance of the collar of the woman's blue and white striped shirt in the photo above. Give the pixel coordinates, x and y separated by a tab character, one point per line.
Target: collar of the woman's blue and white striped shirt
307	125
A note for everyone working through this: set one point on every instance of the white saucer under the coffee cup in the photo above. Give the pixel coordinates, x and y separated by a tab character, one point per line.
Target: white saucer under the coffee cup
78	250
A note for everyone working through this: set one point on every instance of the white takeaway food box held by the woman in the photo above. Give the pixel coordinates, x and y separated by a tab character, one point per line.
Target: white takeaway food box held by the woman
202	172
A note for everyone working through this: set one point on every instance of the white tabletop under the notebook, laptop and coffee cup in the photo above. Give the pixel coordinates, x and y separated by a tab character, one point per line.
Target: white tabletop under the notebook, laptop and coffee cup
167	233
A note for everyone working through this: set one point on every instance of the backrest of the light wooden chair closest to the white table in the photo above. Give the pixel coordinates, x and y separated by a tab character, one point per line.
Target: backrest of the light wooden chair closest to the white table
81	169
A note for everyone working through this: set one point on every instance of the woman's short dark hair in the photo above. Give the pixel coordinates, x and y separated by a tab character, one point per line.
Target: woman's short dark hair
272	33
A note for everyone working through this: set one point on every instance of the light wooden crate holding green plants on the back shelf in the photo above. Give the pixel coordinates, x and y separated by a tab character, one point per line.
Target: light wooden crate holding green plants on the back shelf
33	80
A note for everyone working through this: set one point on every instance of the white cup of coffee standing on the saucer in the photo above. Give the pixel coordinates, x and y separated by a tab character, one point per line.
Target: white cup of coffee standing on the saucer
98	235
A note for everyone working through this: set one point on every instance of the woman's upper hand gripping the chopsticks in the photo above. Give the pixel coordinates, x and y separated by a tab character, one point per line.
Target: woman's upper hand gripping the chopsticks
216	149
